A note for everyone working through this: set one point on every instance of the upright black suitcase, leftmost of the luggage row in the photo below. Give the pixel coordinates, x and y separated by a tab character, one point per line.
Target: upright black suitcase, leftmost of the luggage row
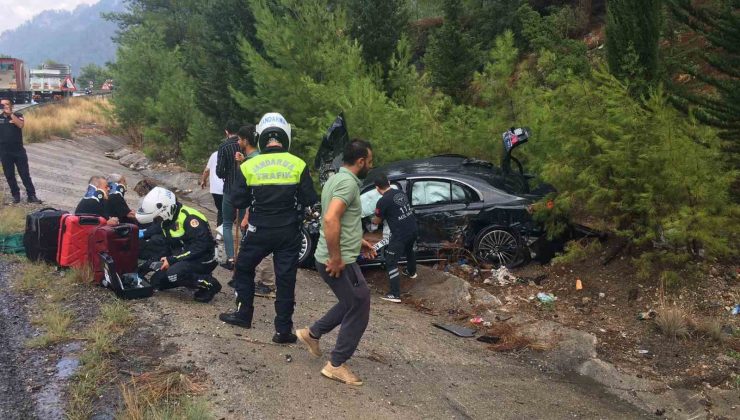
42	234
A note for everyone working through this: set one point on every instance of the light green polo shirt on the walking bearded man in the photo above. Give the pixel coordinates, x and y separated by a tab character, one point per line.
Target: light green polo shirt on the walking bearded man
345	186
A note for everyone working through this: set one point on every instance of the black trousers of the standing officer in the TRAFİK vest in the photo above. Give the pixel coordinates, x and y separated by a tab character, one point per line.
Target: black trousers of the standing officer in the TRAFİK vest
284	244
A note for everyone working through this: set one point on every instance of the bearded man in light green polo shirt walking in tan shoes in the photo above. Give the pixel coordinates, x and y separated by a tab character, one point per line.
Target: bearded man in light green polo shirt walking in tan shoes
340	243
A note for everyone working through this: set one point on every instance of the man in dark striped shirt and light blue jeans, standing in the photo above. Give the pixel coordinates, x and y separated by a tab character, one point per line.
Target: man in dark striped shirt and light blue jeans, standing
229	158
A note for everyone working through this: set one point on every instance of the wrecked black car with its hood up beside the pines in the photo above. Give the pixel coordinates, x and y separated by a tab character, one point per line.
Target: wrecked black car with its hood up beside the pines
465	207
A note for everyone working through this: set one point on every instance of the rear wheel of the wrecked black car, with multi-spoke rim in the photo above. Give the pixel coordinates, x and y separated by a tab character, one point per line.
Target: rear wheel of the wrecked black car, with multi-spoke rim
500	247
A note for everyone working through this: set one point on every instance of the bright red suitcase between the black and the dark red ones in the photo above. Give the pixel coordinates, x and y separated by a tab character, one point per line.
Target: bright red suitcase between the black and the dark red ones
74	238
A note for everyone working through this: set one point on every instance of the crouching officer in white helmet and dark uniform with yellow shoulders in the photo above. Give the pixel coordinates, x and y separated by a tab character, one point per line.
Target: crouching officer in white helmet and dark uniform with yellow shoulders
191	259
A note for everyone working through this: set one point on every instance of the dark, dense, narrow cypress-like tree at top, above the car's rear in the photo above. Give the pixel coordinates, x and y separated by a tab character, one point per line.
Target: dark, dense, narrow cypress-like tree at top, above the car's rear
452	57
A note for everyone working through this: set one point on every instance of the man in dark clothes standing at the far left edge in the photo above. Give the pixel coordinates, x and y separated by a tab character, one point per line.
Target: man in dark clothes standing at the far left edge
12	152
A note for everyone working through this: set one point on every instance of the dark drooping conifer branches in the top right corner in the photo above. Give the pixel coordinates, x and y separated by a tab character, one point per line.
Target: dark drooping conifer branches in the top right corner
720	73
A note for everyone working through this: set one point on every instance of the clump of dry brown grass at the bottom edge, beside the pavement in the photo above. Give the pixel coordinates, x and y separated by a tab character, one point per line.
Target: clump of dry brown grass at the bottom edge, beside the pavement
164	394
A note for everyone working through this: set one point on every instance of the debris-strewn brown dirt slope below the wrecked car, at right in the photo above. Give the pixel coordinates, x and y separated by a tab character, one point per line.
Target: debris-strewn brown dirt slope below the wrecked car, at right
608	307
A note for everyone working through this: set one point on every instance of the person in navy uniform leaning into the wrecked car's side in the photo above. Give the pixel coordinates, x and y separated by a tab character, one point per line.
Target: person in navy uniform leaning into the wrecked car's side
394	208
